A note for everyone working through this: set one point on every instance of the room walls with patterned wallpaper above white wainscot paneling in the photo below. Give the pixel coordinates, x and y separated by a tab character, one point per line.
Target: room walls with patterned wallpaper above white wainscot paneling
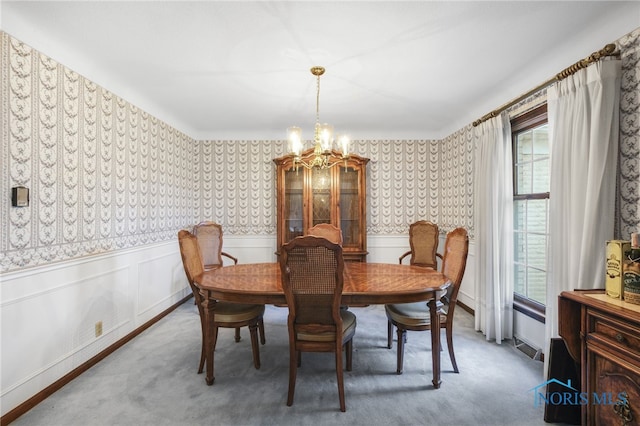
111	185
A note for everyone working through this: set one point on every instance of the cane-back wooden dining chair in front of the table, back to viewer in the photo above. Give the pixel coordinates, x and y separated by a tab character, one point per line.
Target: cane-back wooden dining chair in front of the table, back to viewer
312	279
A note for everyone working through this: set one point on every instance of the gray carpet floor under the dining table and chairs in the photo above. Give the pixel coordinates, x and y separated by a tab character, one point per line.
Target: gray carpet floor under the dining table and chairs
153	380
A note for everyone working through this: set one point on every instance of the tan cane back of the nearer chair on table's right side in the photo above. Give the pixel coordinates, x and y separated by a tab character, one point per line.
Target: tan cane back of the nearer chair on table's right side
454	261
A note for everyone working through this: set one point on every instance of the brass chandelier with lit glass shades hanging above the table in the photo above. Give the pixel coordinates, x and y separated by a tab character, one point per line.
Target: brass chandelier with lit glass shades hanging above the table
323	154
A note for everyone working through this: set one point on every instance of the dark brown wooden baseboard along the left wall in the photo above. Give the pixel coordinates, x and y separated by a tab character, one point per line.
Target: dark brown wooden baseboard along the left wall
67	378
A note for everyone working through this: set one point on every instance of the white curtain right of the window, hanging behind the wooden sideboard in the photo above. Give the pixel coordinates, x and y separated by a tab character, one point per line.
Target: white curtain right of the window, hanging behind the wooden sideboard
583	129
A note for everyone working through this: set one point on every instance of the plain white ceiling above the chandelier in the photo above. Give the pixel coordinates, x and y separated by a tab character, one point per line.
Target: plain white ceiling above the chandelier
394	70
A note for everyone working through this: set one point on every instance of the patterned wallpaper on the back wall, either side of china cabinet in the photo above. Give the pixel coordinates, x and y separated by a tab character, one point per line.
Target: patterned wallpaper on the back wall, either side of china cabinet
402	184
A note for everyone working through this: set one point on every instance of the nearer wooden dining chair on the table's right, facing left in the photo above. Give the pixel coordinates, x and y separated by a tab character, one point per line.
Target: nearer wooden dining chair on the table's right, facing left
415	316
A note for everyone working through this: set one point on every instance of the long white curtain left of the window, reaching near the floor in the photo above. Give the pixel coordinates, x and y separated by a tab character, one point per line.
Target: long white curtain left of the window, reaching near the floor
493	225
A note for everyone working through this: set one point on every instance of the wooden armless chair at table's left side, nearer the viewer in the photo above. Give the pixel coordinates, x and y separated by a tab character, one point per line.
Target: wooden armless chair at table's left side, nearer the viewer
226	314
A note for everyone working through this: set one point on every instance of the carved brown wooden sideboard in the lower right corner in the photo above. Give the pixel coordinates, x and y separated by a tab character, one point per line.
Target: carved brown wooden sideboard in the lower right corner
602	335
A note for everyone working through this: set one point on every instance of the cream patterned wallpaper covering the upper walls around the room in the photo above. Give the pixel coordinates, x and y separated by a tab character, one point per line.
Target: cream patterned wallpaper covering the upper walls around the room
104	175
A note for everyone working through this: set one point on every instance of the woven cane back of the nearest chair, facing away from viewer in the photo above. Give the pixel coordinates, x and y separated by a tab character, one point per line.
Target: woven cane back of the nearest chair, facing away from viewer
312	280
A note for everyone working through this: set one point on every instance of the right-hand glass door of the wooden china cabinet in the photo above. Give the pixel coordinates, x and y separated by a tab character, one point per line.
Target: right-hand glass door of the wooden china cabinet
349	206
